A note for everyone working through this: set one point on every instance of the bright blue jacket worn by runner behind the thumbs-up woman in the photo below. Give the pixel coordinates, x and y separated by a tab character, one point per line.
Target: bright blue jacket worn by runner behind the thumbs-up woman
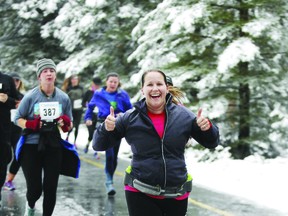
99	100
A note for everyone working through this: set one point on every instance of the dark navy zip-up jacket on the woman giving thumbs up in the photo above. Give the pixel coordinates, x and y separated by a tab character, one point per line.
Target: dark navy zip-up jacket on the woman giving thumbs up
157	161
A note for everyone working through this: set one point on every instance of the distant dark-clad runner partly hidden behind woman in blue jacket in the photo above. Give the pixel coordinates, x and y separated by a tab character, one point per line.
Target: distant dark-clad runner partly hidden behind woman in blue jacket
95	85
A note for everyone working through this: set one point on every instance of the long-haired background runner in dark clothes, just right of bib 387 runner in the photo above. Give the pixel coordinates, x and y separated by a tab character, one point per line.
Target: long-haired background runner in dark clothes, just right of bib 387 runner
75	92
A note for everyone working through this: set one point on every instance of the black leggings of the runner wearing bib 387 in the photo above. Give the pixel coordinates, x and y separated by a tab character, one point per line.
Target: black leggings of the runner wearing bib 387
33	163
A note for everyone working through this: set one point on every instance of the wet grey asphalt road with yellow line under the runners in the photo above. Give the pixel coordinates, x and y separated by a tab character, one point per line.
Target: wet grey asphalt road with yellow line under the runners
86	196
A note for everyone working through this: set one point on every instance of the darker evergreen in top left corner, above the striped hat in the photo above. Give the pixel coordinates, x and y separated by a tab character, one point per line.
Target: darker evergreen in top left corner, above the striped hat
20	39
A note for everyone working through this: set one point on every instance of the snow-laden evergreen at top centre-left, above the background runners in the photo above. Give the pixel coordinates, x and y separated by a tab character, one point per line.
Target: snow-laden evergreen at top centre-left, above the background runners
91	36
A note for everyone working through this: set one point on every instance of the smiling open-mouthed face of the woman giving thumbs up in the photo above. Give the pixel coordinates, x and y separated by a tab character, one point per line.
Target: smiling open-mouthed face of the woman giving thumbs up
154	90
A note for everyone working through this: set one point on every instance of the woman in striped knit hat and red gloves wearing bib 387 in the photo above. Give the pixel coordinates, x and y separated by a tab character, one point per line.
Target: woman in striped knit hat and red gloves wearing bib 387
42	112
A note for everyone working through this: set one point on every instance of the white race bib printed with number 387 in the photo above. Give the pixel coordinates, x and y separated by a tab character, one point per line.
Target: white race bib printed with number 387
49	110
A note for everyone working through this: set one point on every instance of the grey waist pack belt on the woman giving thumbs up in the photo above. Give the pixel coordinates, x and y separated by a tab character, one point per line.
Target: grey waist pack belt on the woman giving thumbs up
168	192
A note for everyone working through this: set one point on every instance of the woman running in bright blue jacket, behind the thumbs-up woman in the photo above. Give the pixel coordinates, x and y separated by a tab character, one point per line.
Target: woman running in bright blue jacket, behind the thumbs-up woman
104	98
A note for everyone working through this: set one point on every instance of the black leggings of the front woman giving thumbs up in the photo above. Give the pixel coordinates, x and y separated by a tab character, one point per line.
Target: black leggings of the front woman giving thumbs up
140	204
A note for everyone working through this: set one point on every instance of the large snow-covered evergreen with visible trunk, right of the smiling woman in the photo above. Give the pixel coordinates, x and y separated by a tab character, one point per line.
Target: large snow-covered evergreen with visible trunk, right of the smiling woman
231	56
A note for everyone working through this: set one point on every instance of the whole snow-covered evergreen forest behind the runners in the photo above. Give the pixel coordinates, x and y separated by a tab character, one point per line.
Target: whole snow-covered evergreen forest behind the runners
228	56
